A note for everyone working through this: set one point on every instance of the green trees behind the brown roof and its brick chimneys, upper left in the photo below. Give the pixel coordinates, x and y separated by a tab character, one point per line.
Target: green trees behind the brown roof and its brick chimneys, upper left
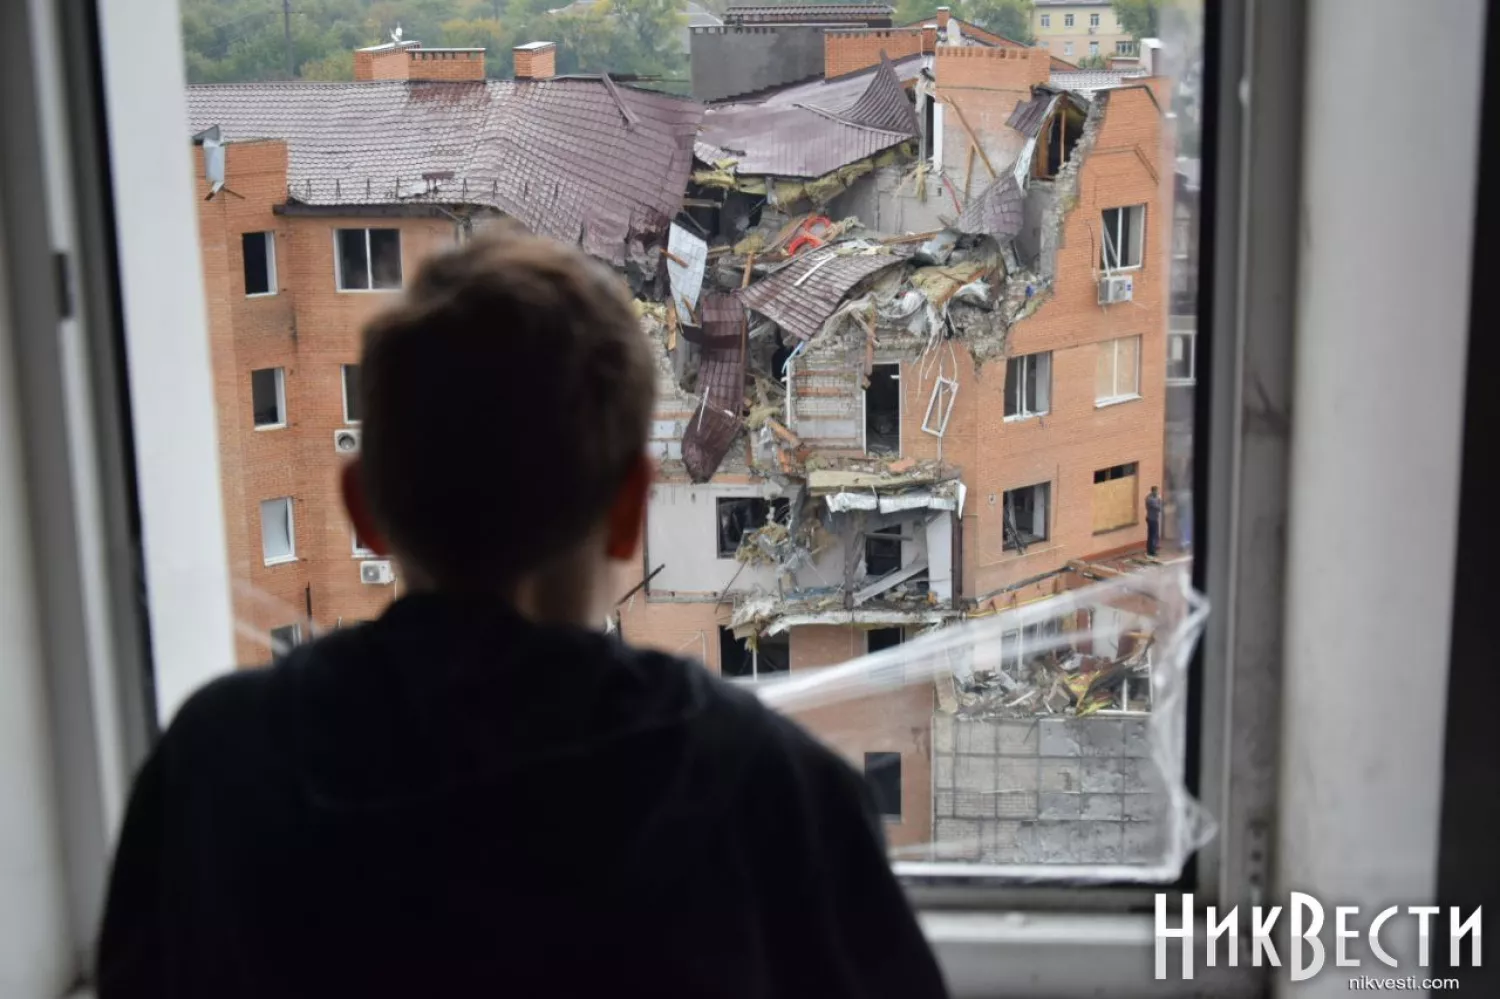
230	41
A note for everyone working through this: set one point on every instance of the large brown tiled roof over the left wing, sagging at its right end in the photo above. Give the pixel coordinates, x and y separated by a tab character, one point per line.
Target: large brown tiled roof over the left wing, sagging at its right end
563	155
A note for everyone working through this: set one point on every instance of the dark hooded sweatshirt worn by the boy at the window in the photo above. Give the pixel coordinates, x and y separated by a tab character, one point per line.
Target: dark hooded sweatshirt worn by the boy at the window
451	802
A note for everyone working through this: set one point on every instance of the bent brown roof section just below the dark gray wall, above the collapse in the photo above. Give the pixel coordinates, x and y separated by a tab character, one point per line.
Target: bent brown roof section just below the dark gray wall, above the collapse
814	134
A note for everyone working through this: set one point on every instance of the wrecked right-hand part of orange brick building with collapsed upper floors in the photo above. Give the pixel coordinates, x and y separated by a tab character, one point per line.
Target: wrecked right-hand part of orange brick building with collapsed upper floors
913	370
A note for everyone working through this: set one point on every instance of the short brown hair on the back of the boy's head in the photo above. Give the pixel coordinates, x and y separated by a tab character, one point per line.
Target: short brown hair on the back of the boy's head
505	401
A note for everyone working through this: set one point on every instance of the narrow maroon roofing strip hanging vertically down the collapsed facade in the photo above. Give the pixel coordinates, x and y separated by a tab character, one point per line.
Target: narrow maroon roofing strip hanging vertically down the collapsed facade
722	386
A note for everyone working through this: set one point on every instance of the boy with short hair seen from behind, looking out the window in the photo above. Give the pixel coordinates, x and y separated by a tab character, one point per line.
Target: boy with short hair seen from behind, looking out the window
482	793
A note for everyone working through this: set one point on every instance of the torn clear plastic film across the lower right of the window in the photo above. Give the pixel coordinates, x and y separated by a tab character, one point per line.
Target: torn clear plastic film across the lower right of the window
1037	743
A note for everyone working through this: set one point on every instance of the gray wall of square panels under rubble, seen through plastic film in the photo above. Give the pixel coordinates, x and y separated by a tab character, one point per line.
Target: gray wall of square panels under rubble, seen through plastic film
1046	791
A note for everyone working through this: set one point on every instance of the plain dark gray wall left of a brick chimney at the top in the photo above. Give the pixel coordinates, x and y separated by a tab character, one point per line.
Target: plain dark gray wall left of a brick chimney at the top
731	61
